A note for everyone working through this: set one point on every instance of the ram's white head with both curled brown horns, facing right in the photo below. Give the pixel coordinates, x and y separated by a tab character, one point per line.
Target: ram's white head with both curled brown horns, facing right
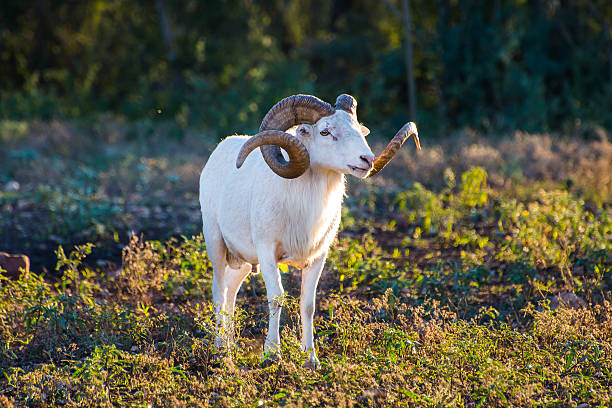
326	137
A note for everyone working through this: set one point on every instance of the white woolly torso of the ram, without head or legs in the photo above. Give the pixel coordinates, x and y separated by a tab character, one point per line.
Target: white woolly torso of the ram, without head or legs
239	205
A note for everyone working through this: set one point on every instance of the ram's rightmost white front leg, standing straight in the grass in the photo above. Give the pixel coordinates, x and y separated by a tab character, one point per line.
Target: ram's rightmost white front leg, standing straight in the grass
310	280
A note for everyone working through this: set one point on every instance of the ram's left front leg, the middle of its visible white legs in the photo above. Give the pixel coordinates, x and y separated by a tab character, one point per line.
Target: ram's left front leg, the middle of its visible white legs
274	289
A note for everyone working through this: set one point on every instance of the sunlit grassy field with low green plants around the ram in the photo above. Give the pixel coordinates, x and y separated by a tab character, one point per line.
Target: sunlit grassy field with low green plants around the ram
475	273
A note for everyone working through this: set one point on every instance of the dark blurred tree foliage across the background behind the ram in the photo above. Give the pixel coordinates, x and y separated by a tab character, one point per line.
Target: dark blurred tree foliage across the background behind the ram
510	64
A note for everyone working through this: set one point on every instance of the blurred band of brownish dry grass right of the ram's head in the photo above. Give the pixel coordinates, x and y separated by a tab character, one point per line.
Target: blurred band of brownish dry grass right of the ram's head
586	165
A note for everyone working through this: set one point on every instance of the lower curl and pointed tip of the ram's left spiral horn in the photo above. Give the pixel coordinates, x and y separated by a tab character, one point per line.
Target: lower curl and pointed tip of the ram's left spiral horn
299	159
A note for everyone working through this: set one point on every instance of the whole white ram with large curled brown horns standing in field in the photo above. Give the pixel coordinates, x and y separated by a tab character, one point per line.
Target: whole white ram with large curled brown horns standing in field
253	217
